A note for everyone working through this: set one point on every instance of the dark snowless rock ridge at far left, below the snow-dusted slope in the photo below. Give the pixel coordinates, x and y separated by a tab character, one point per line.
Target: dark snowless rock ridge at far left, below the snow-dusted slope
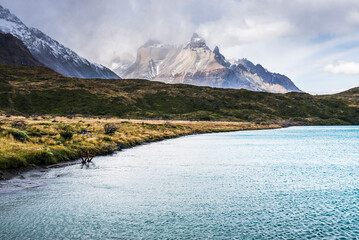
13	51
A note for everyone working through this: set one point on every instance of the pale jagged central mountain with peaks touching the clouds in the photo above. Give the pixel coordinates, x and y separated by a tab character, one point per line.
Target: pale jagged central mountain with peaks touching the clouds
195	63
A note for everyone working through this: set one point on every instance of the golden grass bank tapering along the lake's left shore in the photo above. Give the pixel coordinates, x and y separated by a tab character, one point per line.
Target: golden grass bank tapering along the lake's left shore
46	146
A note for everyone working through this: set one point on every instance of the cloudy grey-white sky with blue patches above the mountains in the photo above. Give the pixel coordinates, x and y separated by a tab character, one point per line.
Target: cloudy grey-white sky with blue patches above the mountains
314	43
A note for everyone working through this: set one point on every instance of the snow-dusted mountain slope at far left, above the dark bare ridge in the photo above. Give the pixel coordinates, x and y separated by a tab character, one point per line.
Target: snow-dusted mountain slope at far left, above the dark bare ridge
50	52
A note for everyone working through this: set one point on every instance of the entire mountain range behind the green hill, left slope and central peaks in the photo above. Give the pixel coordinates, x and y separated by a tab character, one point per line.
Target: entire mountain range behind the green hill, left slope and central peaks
191	63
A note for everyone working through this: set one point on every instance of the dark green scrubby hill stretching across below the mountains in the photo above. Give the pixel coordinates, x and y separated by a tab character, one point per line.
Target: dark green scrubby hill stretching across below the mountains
39	90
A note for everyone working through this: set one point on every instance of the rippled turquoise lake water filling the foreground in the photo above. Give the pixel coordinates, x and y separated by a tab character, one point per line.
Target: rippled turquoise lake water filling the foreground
293	183
